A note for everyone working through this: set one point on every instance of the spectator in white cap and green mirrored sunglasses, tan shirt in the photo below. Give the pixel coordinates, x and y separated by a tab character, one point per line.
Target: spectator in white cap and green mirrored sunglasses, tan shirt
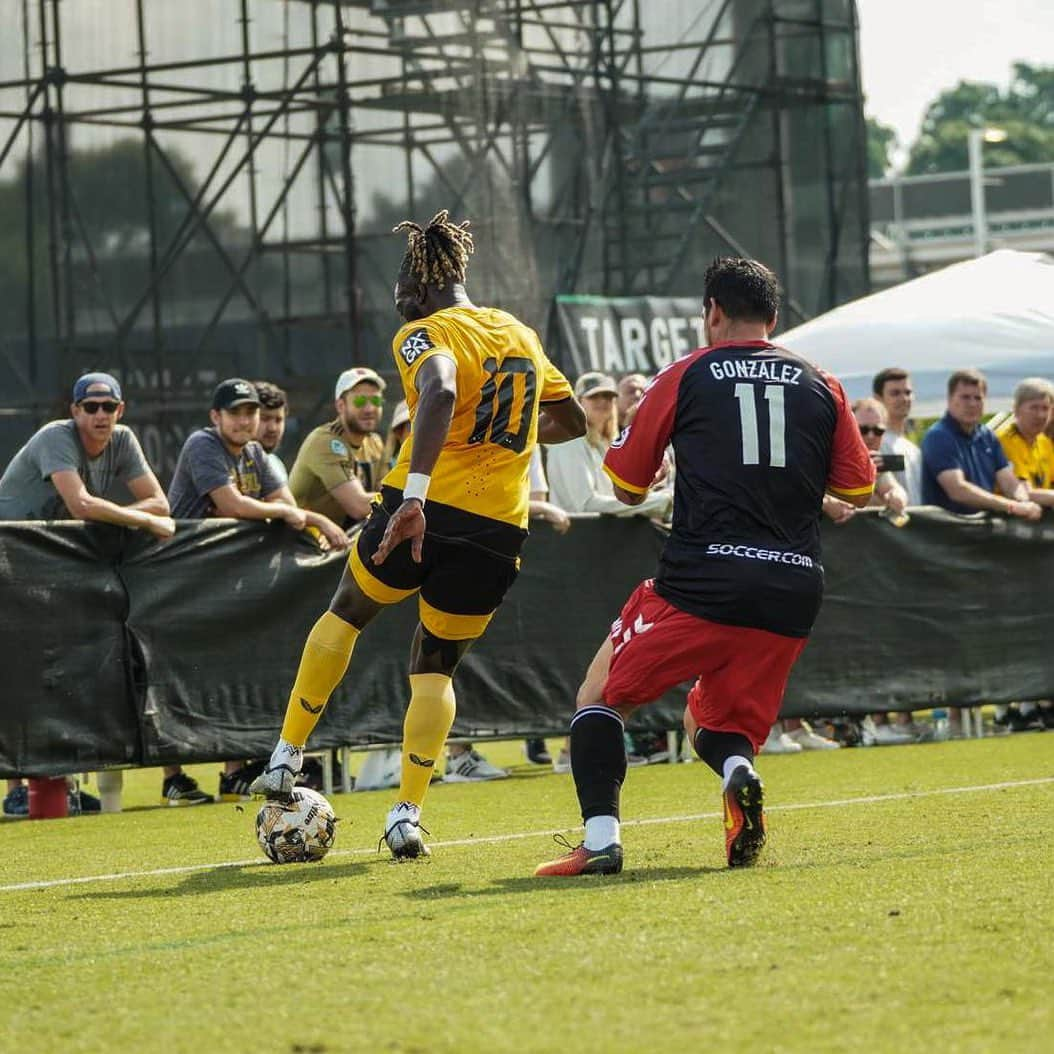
339	467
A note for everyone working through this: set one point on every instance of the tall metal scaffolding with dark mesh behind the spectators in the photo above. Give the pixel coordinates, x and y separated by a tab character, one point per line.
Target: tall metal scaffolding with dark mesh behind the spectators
222	202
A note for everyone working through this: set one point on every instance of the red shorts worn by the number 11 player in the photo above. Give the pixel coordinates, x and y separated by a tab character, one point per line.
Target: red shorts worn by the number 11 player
741	673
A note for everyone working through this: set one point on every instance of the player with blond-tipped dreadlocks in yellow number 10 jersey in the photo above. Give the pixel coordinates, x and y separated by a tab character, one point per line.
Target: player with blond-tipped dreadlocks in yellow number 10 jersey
453	513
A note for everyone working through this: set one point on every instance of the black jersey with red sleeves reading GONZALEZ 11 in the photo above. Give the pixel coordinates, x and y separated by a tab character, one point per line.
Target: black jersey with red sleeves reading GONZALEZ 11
758	435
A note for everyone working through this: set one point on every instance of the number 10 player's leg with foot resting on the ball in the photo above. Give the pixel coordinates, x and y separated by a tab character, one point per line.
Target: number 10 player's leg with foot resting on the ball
324	662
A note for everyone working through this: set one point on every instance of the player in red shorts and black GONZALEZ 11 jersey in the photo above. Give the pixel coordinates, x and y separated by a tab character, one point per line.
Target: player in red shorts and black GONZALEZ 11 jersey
759	437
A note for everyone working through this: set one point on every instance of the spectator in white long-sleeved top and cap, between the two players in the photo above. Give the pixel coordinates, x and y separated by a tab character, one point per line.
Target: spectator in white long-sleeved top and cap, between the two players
577	480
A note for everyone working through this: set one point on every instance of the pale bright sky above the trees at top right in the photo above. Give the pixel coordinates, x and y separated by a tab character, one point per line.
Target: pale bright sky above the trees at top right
912	50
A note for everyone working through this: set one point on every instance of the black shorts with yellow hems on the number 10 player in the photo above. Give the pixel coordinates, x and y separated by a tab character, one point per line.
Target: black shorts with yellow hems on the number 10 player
467	564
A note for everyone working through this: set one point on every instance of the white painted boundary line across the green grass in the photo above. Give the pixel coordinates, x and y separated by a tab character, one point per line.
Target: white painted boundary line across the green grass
519	836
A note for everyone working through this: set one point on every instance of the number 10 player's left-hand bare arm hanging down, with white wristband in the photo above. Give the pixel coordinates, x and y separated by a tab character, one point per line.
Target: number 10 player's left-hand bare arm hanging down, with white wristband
437	384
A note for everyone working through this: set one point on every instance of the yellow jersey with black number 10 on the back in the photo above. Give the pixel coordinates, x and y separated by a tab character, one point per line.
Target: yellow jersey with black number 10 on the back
503	377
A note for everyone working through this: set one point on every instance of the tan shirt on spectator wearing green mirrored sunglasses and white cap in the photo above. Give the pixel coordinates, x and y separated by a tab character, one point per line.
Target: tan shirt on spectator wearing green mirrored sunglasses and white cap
326	460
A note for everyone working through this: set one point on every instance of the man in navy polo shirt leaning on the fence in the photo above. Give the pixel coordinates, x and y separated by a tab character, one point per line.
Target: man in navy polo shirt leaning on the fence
964	466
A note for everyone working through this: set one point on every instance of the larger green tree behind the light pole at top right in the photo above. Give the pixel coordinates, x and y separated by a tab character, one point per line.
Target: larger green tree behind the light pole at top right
1025	111
